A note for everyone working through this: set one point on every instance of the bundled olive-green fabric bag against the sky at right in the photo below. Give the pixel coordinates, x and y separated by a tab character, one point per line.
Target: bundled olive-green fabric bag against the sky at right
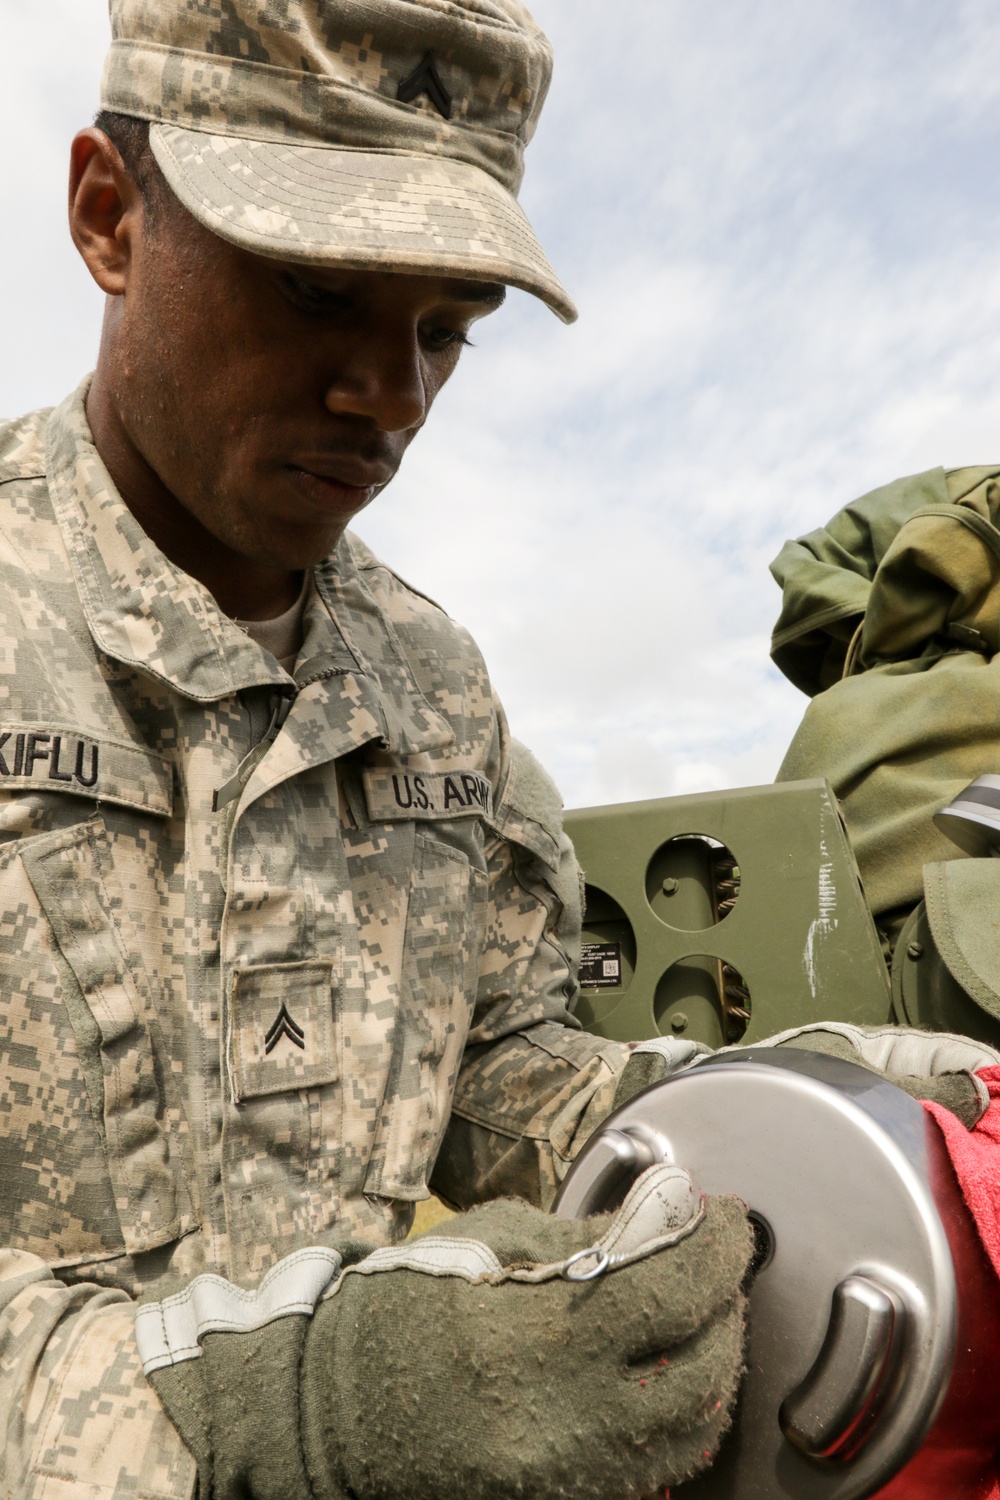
891	623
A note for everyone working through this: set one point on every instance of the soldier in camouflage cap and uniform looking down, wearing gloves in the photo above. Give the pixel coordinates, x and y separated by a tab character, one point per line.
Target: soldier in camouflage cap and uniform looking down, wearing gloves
289	923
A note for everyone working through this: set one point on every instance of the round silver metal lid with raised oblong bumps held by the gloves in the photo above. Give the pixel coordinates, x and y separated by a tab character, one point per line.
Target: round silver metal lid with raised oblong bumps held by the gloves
854	1307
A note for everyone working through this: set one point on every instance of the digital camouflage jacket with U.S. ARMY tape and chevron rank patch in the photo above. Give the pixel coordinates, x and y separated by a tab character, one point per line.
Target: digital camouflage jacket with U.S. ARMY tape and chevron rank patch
202	854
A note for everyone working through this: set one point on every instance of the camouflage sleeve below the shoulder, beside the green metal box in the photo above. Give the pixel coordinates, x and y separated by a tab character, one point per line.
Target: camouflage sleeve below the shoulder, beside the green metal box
533	1084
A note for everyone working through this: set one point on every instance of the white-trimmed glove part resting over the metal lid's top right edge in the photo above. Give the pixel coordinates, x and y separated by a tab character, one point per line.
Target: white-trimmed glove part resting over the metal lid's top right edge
929	1066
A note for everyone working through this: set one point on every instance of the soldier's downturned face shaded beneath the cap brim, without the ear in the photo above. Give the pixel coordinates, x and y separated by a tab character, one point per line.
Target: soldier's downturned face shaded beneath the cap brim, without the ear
271	401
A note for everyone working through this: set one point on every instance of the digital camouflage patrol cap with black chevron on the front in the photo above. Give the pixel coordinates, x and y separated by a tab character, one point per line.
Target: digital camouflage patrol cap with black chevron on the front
373	134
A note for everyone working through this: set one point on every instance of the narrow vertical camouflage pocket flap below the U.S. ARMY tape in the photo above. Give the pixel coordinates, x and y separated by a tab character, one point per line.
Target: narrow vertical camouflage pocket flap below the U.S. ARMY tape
443	941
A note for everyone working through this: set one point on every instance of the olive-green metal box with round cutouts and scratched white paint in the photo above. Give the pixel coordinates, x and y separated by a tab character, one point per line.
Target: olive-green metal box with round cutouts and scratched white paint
725	917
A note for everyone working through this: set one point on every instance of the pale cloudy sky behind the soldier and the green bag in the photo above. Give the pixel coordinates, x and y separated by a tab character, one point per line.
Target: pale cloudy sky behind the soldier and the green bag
782	226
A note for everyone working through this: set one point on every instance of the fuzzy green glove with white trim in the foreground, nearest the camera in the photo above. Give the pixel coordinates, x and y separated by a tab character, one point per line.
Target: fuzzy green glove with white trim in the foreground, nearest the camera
512	1354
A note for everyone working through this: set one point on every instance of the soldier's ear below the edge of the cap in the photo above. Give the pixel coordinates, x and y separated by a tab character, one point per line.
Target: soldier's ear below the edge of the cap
106	209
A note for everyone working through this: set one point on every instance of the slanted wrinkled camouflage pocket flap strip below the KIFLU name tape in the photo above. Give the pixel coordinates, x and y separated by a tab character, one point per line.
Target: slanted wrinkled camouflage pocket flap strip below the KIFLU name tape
133	1093
